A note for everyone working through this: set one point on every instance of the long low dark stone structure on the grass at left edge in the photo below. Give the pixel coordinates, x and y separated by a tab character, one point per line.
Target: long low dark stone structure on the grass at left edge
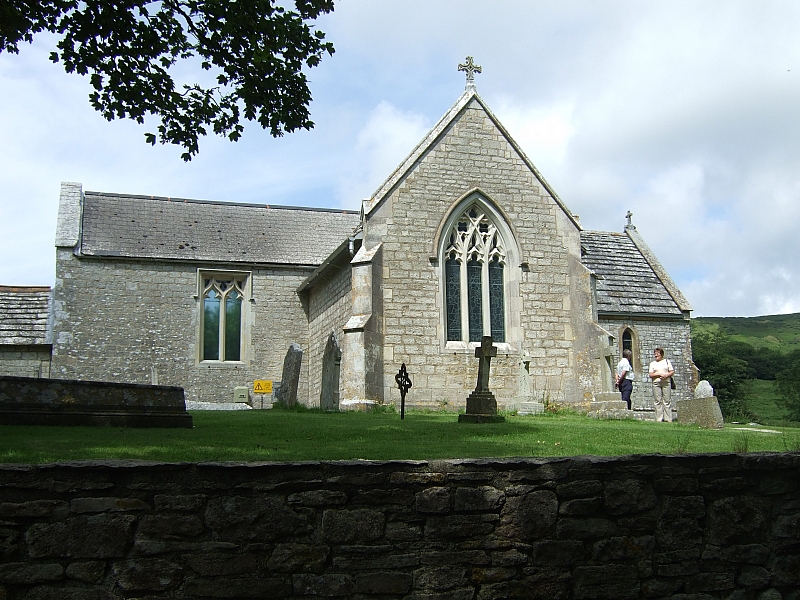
32	401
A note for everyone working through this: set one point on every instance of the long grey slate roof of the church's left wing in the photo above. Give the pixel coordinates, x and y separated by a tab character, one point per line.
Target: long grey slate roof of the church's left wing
150	227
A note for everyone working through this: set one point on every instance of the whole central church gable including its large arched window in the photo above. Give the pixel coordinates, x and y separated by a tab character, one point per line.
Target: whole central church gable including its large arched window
474	243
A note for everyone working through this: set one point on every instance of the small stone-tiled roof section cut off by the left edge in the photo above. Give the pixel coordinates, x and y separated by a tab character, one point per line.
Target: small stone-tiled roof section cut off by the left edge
23	314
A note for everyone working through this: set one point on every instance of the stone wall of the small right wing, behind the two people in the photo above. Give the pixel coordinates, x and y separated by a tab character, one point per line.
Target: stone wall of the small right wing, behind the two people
674	337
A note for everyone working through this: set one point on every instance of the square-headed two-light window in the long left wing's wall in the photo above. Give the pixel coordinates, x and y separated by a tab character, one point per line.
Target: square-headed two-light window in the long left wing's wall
222	302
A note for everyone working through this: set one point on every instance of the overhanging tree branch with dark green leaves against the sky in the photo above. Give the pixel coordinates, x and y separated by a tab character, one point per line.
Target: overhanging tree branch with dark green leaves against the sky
256	50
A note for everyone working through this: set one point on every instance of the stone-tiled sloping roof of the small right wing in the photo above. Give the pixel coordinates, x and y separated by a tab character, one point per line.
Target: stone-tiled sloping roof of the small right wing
627	283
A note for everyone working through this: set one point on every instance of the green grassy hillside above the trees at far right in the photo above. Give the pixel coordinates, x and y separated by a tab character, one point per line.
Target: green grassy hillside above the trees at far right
777	332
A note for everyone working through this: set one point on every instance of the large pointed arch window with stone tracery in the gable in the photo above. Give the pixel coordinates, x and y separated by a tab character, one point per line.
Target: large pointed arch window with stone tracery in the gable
474	273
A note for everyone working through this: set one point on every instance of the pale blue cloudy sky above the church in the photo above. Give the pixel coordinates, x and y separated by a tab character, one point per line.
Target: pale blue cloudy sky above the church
685	113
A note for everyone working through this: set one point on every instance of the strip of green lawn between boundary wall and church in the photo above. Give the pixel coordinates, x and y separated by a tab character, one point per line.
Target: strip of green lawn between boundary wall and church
278	435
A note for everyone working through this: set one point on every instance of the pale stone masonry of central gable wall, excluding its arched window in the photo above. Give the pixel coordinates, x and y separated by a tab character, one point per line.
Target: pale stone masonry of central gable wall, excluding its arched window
474	155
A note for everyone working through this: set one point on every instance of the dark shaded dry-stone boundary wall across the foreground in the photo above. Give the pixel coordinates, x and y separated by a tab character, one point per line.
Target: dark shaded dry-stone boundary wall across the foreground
691	527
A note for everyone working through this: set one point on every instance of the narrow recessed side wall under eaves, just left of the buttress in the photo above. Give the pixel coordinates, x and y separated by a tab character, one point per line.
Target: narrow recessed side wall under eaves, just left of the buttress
328	311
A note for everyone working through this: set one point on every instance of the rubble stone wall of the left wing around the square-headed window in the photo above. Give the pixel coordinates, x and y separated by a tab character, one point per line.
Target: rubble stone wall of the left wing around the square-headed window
138	322
